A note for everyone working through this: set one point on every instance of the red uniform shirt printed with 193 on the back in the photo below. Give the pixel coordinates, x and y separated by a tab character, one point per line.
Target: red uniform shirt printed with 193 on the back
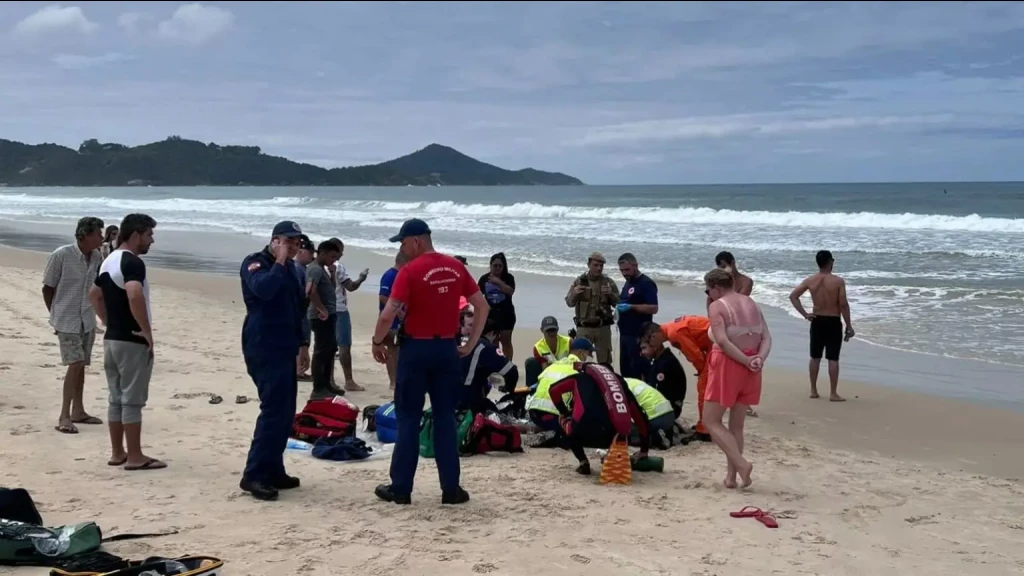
431	287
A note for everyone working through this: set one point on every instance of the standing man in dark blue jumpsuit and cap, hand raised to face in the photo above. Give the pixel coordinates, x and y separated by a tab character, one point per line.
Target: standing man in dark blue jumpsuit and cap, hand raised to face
271	338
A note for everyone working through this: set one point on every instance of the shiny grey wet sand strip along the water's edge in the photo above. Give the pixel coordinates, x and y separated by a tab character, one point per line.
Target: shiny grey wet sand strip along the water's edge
977	382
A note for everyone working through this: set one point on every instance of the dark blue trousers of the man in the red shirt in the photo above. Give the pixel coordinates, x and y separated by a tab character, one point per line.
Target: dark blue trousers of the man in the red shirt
426	367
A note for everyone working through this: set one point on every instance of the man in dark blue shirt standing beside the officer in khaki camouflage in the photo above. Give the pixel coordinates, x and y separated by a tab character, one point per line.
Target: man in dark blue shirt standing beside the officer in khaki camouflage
637	306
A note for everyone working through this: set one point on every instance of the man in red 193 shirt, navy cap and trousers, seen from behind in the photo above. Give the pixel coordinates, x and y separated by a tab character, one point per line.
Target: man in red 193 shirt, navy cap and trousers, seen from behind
429	287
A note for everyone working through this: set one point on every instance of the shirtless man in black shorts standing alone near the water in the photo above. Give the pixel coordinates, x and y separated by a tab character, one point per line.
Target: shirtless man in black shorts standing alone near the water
829	298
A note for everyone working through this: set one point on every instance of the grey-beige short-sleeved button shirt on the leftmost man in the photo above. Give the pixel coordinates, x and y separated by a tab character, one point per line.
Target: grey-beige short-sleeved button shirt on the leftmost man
71	276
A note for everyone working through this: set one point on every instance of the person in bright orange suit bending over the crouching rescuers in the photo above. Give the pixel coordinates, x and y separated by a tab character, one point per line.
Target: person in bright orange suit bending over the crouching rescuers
689	335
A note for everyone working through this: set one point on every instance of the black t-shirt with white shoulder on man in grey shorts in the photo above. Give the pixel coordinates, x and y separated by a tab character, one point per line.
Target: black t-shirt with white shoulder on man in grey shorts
117	271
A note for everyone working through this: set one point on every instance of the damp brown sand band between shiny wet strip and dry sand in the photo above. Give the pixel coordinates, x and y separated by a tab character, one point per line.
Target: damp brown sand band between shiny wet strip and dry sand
883	422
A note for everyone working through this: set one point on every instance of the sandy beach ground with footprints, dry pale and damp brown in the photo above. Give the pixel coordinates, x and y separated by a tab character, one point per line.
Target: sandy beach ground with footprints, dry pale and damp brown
889	483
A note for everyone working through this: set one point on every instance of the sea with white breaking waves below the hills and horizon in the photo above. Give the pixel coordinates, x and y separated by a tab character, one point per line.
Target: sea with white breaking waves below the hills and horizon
936	269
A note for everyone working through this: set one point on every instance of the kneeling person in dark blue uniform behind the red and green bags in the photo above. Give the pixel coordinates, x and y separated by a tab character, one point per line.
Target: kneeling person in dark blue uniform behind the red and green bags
478	368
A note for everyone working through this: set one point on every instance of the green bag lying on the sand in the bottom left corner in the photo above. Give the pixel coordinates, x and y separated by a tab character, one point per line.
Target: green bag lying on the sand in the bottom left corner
28	545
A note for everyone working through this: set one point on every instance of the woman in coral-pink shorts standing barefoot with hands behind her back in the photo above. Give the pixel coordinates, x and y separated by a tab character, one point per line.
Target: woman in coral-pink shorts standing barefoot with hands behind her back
742	346
